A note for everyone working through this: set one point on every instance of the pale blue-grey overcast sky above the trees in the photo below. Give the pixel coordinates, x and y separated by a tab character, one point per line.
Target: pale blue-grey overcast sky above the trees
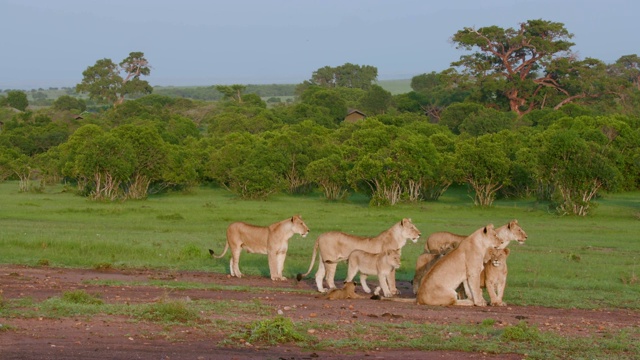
49	43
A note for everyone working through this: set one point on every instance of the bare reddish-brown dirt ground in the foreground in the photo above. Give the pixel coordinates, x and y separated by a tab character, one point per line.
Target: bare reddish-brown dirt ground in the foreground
114	337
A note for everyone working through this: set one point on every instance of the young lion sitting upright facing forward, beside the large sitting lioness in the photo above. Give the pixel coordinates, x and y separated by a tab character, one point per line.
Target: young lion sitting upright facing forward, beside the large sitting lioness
494	275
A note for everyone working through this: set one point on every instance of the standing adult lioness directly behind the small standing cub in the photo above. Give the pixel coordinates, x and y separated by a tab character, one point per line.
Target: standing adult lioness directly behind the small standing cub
334	246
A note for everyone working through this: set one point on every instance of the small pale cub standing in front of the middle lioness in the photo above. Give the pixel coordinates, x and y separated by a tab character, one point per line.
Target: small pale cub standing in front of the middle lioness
382	265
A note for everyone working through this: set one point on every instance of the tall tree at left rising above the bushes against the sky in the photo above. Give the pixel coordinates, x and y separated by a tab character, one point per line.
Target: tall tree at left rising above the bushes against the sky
104	82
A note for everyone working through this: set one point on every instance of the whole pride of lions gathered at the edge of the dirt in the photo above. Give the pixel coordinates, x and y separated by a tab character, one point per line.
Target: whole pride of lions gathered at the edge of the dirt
452	270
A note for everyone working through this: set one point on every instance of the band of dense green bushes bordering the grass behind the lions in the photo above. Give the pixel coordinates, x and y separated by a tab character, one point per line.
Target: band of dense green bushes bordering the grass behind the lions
565	157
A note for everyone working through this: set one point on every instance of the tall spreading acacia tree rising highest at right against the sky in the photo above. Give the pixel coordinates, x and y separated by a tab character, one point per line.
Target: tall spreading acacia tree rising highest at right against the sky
526	65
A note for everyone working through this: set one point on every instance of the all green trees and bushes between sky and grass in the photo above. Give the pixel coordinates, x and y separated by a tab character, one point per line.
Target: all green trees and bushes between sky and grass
519	116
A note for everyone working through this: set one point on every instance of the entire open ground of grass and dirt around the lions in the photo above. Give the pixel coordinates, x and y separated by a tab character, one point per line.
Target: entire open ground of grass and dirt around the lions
135	279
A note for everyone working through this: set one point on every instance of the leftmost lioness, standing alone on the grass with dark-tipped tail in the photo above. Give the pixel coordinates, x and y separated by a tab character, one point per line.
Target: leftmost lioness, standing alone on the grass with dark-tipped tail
272	240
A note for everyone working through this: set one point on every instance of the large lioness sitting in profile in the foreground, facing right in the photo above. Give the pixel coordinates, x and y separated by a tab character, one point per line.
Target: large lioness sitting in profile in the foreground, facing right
464	263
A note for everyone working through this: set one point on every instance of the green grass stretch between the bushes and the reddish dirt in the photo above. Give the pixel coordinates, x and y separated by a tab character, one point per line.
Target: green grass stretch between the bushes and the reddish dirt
567	262
